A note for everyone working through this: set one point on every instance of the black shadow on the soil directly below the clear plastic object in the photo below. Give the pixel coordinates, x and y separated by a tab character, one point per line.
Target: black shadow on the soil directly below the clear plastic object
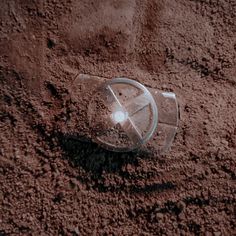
97	161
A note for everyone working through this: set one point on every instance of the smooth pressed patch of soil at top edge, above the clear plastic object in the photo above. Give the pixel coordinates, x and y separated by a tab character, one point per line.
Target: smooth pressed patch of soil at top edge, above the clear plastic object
105	31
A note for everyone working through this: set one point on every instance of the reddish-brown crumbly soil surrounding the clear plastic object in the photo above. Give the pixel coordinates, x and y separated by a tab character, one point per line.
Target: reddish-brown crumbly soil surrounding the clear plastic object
53	184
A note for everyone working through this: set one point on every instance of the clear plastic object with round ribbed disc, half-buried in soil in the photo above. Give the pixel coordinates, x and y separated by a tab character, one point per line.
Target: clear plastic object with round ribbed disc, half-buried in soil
123	115
